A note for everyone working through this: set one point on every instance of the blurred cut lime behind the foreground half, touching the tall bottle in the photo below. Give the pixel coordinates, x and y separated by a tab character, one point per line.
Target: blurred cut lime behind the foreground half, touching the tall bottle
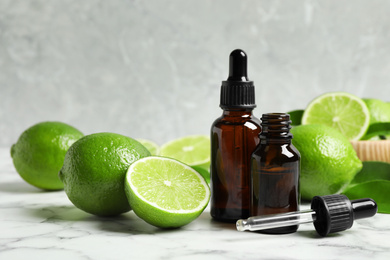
193	150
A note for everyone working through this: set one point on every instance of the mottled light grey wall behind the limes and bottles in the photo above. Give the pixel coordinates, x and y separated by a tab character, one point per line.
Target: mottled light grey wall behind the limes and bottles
153	69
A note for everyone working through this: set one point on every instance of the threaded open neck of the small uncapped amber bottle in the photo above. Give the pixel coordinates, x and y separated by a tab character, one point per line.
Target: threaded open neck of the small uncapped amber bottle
275	128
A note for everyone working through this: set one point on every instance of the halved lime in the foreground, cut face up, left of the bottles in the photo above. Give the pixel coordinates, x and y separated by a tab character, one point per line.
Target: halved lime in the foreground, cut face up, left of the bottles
164	192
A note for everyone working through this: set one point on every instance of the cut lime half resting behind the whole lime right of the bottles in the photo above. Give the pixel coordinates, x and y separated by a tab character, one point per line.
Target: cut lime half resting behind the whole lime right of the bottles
342	111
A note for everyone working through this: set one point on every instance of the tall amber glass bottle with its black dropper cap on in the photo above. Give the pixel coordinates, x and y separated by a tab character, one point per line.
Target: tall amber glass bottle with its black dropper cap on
234	136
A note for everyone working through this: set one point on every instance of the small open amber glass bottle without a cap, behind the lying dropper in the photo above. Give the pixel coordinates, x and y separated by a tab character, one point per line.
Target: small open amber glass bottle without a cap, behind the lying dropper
275	168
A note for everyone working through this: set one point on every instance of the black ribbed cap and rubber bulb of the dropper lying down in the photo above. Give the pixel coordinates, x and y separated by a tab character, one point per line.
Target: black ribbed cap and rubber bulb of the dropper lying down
335	213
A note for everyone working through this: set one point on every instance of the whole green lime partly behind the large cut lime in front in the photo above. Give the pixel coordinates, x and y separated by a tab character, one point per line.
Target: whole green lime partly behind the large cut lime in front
94	171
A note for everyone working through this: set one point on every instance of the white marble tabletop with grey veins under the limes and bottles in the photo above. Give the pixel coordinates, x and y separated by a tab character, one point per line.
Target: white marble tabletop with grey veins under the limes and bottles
42	225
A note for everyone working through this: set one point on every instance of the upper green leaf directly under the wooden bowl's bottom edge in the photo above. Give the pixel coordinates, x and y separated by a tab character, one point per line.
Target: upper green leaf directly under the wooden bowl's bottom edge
372	171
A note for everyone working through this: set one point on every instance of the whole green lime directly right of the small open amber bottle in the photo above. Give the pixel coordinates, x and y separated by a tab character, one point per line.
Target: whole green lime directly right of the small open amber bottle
328	160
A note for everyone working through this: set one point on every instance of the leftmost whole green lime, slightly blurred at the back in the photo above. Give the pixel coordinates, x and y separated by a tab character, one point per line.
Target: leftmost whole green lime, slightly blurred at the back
40	151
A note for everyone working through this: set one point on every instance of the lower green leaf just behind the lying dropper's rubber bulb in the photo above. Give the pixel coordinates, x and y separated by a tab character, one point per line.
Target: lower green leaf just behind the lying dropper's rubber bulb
378	190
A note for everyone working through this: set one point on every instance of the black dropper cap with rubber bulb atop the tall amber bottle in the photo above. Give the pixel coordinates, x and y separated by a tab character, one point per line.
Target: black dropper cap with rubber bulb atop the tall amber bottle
237	91
